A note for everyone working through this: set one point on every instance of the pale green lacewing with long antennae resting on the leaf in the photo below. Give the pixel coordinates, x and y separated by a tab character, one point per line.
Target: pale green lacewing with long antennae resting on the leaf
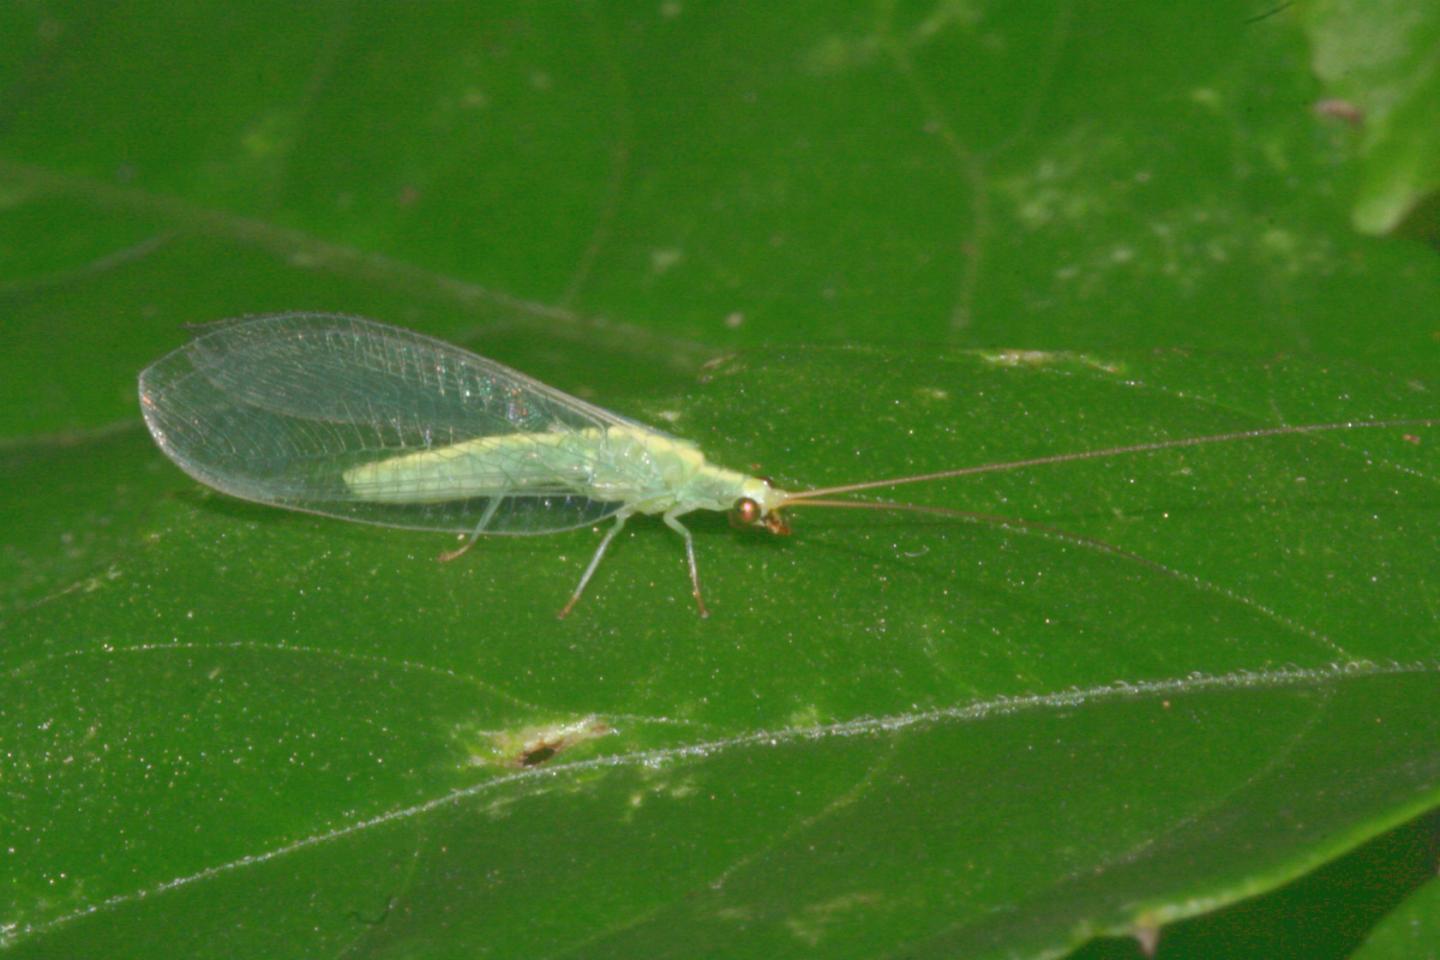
362	421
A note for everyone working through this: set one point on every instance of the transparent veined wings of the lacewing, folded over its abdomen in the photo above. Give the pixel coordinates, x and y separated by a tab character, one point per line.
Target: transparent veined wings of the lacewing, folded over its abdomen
356	420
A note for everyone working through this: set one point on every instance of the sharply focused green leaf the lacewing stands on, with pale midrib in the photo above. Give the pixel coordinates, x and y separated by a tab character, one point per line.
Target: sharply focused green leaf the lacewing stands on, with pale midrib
895	730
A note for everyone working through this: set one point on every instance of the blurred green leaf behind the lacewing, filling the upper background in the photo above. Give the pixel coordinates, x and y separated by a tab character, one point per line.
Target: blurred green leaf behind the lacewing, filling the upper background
1038	175
